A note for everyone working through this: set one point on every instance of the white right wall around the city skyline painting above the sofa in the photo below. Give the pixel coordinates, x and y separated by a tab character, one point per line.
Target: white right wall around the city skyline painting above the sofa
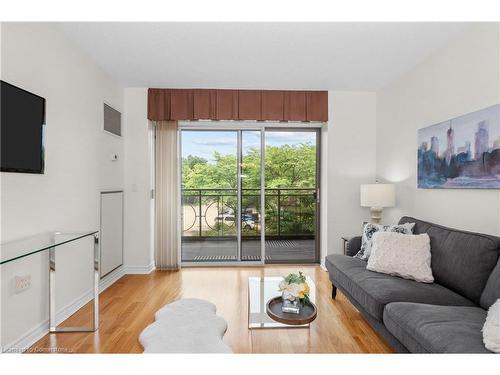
460	78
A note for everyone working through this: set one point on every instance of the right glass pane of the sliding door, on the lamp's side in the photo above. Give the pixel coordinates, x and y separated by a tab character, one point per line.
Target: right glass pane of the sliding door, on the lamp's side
291	186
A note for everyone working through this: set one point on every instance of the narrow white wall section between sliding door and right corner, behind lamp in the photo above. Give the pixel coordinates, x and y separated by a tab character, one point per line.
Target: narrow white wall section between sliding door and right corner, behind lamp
351	162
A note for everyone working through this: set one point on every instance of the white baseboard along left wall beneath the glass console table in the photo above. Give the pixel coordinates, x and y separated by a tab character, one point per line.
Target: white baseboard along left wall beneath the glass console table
36	333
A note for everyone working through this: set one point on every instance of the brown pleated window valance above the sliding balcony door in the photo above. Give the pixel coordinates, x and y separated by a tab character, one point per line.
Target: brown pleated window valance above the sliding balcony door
208	104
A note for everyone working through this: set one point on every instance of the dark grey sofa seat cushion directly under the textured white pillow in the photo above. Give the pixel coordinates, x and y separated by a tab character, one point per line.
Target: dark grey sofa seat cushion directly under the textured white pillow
374	290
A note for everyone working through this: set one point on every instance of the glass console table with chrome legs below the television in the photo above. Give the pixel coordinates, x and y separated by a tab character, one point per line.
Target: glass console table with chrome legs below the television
50	241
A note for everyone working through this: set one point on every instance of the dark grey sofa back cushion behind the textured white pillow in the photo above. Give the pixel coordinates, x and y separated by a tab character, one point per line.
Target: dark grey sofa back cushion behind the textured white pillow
461	261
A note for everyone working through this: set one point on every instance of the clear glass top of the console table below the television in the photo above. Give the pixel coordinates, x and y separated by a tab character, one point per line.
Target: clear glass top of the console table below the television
13	250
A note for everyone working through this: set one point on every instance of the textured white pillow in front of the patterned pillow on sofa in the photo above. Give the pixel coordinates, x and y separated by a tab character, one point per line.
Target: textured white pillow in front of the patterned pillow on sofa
404	255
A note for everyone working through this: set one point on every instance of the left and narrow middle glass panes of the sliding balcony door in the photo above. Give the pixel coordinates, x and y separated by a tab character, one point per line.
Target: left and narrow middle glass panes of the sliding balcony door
220	183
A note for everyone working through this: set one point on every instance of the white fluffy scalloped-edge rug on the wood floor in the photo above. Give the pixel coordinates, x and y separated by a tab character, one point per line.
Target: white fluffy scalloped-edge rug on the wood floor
185	326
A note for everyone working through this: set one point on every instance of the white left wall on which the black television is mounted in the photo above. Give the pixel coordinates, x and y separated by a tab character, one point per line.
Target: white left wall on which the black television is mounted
78	166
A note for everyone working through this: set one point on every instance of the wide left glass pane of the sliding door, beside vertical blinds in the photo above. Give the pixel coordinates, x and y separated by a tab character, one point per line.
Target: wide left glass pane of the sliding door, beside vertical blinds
209	196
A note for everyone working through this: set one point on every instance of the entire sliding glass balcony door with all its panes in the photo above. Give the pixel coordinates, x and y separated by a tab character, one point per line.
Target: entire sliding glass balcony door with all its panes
228	176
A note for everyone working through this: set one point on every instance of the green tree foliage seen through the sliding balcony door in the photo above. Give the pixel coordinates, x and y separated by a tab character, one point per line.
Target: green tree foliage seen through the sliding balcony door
286	166
